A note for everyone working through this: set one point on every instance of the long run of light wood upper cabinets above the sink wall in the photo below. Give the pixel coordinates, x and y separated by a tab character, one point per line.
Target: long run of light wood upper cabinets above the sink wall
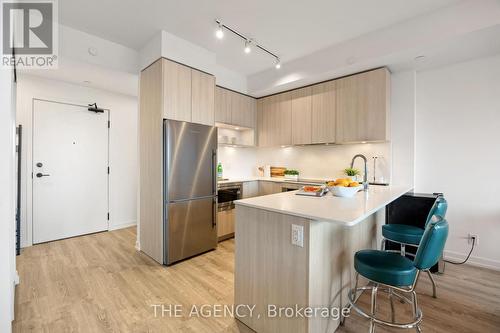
347	110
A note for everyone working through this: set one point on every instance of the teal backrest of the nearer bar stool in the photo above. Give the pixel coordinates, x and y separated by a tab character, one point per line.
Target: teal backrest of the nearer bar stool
432	244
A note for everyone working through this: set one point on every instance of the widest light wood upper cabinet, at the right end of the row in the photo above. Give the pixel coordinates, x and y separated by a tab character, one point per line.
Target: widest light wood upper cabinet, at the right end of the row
363	107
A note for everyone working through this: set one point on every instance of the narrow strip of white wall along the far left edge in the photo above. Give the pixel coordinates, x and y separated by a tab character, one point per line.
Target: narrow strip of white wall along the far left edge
7	201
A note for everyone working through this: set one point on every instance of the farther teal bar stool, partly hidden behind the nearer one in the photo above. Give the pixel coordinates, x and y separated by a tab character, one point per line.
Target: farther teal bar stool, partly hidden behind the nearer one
407	235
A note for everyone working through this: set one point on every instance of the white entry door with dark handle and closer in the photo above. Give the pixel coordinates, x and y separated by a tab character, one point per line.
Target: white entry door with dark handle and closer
70	171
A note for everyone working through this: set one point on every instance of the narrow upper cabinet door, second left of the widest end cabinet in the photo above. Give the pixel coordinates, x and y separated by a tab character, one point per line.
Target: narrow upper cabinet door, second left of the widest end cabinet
301	116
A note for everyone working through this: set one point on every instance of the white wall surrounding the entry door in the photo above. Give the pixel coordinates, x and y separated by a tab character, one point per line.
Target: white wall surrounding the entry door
123	143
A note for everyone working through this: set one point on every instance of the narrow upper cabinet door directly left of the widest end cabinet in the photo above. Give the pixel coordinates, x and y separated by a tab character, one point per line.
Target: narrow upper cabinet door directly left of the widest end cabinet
323	112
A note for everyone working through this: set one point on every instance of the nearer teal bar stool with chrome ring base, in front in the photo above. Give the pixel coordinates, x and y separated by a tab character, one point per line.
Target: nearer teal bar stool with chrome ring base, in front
390	272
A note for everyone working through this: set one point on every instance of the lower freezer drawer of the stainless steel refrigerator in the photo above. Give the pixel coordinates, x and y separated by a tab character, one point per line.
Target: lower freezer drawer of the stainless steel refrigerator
191	228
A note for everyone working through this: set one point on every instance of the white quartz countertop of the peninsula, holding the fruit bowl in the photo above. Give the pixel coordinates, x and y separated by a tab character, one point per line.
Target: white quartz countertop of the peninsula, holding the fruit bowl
348	211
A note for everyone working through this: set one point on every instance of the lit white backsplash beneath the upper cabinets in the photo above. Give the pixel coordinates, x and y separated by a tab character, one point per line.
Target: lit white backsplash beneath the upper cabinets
316	161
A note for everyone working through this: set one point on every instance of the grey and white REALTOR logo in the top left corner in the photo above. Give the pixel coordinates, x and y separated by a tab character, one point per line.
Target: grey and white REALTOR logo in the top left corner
29	33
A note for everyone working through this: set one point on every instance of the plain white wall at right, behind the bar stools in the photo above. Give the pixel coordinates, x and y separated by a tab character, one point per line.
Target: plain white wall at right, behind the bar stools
457	152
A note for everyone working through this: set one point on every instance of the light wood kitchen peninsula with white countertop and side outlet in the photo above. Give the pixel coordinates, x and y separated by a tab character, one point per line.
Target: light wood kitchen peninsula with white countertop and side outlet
298	251
